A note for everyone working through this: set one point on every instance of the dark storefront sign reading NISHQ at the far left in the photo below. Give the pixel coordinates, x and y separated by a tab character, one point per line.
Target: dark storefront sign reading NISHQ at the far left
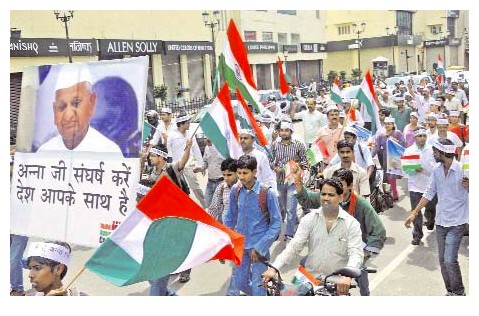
31	47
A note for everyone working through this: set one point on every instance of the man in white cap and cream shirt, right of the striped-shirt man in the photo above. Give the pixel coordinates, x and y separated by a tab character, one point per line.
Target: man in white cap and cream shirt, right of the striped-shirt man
331	133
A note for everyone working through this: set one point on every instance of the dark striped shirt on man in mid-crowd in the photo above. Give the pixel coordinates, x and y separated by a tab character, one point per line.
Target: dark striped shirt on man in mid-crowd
282	153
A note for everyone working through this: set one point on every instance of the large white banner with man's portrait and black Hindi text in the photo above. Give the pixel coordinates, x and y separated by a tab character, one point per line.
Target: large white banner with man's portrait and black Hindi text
76	165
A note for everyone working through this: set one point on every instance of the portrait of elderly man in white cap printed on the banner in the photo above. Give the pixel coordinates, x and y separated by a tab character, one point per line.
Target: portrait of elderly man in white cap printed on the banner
73	108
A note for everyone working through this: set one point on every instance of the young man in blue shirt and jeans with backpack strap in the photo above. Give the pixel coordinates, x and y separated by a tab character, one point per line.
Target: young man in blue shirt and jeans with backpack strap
260	225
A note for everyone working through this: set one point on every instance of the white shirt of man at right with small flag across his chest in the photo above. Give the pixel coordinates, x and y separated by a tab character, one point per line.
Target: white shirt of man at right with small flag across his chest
418	181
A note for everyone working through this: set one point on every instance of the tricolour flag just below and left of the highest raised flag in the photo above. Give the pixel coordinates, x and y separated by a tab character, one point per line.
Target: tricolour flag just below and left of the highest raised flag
219	125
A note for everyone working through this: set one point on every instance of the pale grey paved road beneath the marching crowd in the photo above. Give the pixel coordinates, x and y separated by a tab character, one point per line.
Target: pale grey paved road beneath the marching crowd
403	269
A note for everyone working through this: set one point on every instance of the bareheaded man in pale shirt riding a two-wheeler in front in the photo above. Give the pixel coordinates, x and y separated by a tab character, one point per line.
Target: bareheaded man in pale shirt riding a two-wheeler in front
324	229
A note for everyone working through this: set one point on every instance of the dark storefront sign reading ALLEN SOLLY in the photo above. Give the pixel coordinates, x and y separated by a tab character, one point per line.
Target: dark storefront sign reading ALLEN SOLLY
130	47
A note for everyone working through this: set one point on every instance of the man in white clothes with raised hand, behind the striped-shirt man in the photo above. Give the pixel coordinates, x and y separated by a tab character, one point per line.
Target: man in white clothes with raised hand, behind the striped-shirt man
312	119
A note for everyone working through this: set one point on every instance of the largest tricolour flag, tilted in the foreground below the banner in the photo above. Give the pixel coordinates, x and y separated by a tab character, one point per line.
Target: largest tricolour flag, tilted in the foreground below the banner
167	233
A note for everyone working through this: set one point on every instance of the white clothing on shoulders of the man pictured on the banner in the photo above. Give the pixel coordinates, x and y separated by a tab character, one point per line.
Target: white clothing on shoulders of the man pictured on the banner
93	141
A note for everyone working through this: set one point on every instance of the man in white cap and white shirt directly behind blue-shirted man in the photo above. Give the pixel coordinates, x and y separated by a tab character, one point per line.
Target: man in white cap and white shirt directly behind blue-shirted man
264	172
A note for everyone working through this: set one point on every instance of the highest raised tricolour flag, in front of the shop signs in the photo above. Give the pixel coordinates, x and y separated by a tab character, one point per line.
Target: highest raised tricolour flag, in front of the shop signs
237	71
